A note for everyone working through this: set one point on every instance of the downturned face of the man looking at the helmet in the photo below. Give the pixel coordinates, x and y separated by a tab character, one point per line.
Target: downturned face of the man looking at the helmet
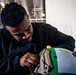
23	32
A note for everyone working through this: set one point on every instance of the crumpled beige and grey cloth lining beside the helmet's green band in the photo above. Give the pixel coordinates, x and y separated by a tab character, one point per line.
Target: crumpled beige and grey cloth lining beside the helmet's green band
45	65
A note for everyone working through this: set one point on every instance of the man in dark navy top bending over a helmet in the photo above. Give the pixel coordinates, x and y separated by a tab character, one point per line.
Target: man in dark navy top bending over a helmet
21	40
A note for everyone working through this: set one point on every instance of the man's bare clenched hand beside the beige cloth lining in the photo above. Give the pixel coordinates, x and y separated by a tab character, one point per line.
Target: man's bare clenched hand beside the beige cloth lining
29	60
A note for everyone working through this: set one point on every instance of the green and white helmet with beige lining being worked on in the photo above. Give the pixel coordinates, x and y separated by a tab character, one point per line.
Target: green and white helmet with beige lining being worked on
60	60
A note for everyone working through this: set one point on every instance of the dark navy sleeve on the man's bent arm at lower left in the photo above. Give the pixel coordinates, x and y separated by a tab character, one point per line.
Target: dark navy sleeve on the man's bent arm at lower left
10	63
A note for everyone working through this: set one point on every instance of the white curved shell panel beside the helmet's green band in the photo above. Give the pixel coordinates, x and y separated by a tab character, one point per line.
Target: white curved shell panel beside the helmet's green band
66	61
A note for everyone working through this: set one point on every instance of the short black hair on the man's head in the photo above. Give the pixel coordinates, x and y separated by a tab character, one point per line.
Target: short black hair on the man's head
13	14
